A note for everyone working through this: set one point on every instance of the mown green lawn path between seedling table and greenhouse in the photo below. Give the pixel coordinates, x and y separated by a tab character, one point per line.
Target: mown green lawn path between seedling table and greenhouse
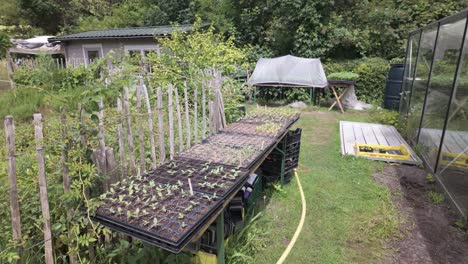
349	216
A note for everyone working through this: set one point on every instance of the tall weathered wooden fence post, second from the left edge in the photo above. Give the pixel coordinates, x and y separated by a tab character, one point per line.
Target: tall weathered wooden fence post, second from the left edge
49	257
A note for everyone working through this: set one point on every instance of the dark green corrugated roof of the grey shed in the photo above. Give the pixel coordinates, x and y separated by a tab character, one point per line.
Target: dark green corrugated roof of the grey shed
135	32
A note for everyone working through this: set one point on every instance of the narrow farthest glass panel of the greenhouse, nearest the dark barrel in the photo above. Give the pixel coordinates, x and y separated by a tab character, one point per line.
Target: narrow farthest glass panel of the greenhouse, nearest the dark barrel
412	52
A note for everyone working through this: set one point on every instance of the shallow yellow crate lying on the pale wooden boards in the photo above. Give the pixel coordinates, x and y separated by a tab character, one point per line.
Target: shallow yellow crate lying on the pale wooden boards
379	151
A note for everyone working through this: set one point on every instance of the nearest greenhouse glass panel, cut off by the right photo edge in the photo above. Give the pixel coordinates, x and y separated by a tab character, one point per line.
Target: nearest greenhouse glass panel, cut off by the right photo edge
453	160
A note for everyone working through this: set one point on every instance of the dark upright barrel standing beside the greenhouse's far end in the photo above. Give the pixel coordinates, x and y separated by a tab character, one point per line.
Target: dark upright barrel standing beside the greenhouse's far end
393	87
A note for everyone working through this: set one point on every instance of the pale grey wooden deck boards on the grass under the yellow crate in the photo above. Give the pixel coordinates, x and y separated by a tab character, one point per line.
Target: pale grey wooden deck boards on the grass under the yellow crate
366	133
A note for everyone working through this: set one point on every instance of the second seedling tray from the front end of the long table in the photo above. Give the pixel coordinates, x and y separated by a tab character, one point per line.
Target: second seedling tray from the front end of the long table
205	177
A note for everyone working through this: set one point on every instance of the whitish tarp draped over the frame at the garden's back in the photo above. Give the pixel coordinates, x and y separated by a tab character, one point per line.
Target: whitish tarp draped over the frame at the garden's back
289	71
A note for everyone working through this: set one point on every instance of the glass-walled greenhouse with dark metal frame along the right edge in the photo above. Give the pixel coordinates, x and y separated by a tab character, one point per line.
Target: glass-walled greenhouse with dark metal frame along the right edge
434	103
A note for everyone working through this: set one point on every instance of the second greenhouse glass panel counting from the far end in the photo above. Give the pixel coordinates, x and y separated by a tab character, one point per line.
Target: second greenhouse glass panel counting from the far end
418	93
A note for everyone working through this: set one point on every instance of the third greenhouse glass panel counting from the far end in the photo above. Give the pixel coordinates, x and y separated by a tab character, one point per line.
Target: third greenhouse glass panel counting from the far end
438	95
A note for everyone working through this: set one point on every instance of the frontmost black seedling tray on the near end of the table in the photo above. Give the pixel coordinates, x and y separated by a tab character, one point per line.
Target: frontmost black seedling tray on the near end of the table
177	214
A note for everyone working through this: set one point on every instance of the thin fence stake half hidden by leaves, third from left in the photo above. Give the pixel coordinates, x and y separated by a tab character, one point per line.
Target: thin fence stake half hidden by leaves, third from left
66	171
